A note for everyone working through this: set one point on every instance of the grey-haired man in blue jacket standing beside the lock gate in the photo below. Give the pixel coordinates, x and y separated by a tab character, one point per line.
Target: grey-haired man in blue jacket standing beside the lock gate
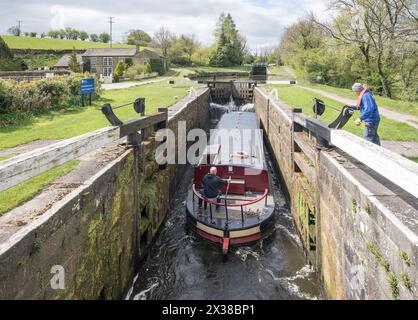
369	113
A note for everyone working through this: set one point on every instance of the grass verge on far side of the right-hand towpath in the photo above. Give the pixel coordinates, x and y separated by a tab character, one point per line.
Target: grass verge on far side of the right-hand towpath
396	105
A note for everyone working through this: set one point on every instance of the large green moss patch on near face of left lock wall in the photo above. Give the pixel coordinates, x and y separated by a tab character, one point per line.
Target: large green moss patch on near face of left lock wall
108	245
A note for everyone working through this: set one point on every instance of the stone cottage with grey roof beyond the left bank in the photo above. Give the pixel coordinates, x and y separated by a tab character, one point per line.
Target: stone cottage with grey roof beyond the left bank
104	61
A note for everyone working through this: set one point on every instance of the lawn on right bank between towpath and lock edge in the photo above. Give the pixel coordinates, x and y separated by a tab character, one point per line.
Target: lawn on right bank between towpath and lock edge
388	130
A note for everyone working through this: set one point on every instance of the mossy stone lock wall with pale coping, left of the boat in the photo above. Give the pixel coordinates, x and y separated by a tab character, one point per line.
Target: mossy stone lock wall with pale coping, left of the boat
97	223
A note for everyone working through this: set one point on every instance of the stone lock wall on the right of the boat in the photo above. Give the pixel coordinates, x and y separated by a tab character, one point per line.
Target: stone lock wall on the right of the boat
358	230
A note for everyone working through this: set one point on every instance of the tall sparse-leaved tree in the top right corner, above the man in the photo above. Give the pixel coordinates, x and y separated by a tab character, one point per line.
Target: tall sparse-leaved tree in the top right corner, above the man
376	28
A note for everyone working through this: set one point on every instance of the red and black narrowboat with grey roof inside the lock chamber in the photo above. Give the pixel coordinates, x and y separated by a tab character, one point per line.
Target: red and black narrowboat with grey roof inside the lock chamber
244	211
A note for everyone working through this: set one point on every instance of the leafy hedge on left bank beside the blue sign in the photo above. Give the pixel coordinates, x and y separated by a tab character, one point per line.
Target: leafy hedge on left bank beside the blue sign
20	100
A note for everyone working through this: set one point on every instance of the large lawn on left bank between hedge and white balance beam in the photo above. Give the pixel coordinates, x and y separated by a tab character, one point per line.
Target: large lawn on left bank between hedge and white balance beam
82	120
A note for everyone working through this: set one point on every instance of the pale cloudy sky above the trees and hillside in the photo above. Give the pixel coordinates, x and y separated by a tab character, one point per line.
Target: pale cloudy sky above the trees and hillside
261	21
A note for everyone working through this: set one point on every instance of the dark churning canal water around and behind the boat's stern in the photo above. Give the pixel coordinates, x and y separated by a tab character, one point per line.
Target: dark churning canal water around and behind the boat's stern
183	267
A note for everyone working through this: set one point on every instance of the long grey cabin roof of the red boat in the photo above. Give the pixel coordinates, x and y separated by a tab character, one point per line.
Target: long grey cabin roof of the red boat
237	141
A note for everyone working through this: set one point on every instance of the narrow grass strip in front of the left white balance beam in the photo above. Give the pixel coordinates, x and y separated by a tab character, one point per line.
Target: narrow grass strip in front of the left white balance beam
25	191
